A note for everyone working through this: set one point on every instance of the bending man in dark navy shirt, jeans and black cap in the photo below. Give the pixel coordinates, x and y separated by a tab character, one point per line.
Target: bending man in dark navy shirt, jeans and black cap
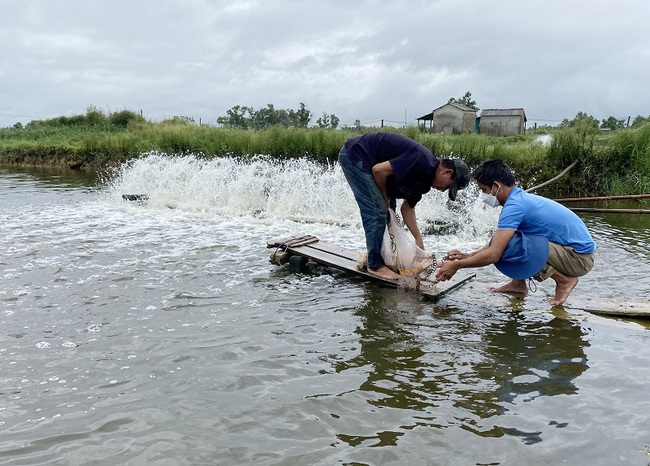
383	167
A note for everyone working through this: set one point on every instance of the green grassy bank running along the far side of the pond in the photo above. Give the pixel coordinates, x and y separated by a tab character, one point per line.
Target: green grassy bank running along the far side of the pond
608	163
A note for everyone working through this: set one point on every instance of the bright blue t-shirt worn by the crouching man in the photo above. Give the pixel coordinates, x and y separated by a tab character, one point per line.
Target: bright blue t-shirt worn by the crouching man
538	215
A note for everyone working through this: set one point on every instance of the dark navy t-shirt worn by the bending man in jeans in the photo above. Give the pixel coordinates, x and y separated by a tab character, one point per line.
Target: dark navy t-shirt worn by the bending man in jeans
414	166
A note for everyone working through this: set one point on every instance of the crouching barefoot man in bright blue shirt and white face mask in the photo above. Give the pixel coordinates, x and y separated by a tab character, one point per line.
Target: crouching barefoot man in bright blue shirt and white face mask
535	237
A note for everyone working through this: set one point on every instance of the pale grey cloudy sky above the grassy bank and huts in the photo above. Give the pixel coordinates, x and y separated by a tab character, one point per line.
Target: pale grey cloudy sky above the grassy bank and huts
363	60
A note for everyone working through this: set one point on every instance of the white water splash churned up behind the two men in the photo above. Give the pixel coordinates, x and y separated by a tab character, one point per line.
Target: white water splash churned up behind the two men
297	190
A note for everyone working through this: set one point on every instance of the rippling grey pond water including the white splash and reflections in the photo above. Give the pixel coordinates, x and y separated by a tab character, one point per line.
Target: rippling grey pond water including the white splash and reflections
158	332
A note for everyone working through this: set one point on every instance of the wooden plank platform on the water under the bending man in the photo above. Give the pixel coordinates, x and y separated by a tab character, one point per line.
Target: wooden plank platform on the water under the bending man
345	259
